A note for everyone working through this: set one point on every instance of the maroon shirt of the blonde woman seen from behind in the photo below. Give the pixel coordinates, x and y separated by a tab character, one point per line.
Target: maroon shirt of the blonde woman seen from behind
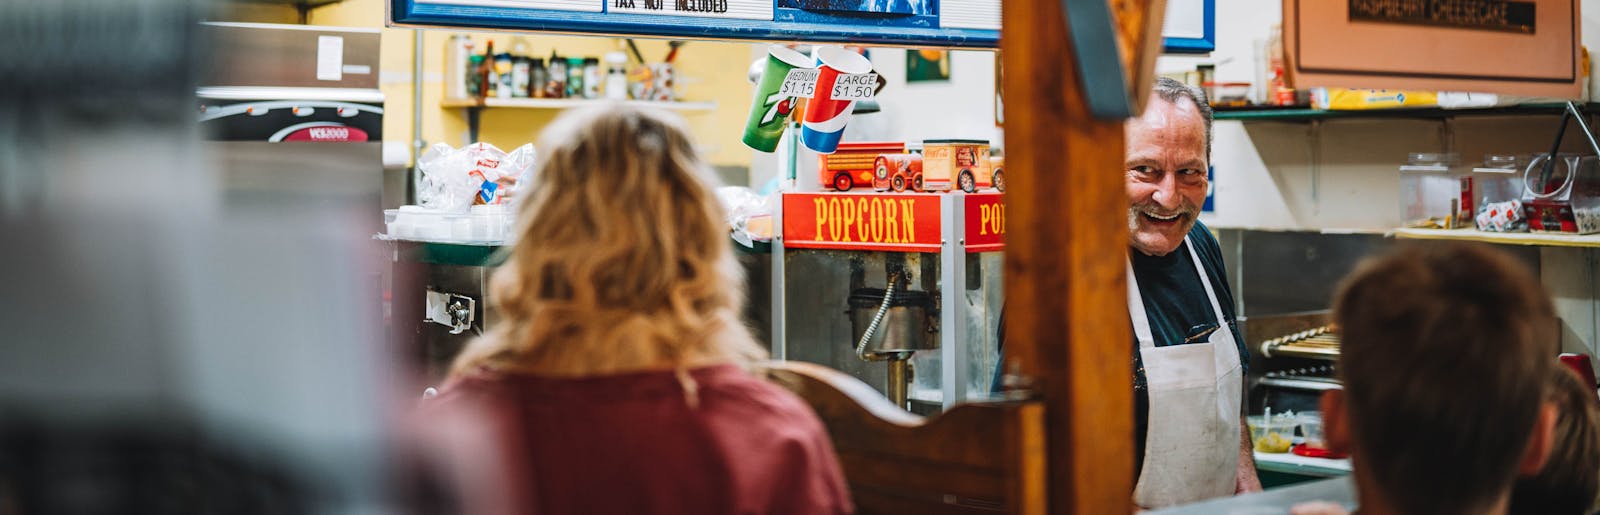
633	444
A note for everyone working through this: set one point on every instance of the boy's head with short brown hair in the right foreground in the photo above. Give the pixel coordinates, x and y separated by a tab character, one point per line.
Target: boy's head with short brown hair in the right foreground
1446	356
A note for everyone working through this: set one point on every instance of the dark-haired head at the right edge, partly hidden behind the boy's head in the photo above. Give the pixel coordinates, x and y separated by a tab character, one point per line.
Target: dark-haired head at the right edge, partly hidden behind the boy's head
1570	479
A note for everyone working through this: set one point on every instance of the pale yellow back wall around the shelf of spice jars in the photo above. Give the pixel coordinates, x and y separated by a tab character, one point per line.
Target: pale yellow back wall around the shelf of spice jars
706	73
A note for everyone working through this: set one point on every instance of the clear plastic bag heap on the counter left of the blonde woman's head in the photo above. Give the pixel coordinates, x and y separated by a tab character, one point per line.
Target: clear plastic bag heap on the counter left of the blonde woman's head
455	180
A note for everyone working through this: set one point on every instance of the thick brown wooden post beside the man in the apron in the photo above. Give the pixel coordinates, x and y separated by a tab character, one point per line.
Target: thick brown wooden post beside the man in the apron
1066	297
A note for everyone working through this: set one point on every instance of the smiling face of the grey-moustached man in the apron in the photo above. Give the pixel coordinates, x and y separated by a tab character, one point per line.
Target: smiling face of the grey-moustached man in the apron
1166	174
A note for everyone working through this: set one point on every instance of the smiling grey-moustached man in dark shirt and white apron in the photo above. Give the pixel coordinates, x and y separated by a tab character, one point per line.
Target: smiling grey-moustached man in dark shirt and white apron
1190	357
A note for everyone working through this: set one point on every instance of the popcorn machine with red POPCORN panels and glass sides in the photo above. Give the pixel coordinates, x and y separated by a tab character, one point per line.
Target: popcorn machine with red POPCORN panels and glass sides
900	290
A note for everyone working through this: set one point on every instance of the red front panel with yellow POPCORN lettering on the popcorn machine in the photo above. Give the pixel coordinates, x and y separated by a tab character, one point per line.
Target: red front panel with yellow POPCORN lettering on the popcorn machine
902	223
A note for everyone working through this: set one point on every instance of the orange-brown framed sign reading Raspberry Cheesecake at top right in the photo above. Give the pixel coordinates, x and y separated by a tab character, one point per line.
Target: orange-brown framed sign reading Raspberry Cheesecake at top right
1508	47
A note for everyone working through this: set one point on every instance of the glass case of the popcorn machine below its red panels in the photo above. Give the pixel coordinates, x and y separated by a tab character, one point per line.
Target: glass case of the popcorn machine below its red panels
825	293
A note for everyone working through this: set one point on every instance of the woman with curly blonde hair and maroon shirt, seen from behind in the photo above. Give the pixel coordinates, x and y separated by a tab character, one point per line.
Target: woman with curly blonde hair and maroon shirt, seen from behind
618	378
